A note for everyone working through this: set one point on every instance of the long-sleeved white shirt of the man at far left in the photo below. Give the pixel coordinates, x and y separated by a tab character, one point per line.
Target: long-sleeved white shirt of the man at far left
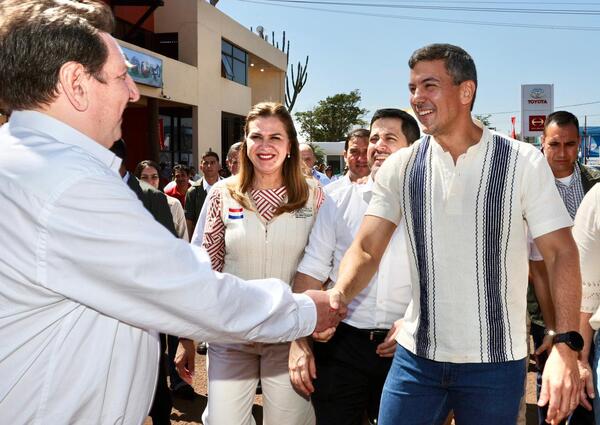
88	278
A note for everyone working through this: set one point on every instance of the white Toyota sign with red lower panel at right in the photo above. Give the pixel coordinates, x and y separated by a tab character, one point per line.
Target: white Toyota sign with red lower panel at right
537	102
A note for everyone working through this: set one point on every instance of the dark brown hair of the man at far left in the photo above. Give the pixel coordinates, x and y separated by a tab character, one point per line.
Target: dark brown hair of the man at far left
37	37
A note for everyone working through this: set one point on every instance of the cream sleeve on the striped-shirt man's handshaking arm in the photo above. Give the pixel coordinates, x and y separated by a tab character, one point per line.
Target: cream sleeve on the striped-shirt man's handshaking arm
387	190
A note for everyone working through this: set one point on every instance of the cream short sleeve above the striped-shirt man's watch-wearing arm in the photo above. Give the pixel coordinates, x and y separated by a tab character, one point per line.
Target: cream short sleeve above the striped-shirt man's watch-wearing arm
543	208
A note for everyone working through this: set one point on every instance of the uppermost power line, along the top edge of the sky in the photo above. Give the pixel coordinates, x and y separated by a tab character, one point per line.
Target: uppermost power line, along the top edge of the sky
586	12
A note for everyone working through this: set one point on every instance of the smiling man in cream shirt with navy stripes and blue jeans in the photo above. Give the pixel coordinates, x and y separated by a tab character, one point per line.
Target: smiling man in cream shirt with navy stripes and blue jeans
466	195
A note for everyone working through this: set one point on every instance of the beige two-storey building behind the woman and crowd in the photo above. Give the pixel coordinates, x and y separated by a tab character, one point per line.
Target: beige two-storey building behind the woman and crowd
198	72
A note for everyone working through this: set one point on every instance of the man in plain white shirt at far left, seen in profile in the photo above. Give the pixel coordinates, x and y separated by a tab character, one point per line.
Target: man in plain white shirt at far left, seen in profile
90	277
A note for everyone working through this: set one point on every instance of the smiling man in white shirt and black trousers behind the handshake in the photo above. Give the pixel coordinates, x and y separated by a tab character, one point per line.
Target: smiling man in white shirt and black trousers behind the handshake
352	366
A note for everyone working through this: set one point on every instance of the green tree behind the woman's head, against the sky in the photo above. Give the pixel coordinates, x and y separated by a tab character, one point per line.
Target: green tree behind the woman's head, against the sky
332	118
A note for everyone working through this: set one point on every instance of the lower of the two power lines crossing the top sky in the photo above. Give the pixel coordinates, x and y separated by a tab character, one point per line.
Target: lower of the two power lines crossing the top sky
421	19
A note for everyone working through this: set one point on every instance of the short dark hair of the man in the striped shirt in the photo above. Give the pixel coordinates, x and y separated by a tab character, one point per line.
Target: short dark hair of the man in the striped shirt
458	62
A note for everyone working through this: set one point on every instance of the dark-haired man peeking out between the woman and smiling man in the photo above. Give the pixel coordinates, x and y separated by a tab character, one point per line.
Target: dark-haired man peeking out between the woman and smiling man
355	156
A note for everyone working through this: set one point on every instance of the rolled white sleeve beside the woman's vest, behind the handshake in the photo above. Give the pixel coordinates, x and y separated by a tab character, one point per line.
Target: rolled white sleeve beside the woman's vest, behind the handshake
318	254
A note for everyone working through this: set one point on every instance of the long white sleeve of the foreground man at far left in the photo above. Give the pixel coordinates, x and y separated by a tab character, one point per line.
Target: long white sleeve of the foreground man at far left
99	247
